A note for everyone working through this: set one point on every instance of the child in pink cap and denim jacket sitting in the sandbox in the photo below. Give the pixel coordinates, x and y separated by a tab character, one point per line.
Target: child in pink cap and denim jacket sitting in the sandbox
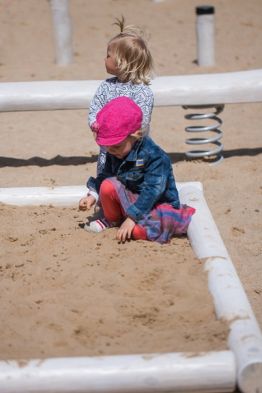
136	188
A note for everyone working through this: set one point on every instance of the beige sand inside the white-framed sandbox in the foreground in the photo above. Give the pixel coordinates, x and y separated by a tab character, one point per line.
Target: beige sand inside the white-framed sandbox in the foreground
65	292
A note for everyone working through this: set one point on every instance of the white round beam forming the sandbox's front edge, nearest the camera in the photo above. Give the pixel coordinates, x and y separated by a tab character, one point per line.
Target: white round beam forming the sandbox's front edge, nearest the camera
169	372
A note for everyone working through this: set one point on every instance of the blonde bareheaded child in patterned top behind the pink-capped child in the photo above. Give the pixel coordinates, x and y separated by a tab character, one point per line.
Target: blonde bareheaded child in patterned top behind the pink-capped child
129	59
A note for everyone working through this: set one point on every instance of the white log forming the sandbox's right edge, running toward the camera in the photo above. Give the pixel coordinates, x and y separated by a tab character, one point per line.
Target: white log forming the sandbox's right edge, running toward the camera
231	302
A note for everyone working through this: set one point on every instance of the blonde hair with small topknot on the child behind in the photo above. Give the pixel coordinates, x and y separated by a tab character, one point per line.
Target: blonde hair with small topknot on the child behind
133	58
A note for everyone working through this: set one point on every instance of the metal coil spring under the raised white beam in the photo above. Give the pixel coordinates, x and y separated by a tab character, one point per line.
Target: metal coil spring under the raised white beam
211	128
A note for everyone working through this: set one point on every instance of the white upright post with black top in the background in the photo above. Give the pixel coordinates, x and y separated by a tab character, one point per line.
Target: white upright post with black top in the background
205	35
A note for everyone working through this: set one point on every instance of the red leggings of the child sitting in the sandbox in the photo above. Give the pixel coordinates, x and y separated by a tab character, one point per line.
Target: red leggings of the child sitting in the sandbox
113	210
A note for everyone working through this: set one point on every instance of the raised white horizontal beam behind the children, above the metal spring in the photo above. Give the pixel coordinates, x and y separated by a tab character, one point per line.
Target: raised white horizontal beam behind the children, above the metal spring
205	89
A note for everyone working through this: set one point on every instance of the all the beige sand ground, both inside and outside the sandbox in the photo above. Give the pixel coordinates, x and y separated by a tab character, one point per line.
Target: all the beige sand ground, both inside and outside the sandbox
64	291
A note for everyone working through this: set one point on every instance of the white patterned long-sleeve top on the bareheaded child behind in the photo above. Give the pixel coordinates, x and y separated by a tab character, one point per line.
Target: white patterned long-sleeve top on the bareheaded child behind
112	88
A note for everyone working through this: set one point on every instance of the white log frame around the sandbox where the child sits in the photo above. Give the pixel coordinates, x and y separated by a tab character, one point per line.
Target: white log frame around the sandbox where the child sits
176	372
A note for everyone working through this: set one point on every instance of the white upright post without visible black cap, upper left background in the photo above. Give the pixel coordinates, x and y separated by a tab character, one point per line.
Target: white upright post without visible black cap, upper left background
62	32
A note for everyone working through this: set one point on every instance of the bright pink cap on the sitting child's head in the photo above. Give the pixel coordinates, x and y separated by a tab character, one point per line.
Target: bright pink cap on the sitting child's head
119	118
